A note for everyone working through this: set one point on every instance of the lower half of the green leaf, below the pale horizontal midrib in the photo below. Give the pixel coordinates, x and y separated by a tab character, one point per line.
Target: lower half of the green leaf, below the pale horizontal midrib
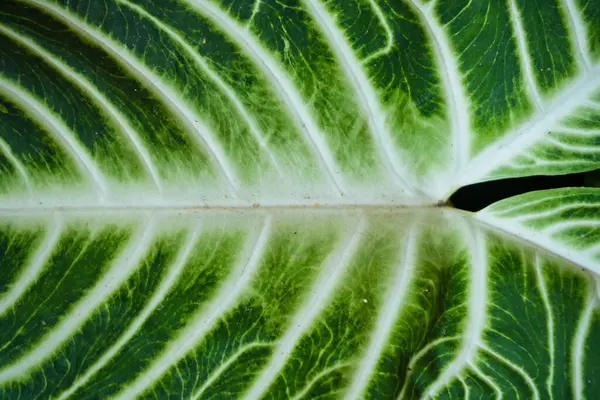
276	304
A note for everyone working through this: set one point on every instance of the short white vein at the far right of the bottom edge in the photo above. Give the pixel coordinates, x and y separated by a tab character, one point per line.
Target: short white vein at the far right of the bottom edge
578	350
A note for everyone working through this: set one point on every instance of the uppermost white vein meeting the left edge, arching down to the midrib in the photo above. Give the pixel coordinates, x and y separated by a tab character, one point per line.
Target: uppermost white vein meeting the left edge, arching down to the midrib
100	100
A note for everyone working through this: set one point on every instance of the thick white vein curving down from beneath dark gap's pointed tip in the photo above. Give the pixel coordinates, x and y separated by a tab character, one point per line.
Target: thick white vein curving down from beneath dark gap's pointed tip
476	311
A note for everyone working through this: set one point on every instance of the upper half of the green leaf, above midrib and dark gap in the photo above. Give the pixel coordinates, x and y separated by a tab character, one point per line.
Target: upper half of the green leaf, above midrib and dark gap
248	114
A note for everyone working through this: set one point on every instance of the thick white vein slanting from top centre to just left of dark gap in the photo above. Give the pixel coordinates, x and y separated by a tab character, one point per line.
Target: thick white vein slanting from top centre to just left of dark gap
365	93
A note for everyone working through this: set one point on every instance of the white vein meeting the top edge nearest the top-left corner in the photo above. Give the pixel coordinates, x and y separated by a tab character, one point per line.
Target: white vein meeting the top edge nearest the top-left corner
163	91
